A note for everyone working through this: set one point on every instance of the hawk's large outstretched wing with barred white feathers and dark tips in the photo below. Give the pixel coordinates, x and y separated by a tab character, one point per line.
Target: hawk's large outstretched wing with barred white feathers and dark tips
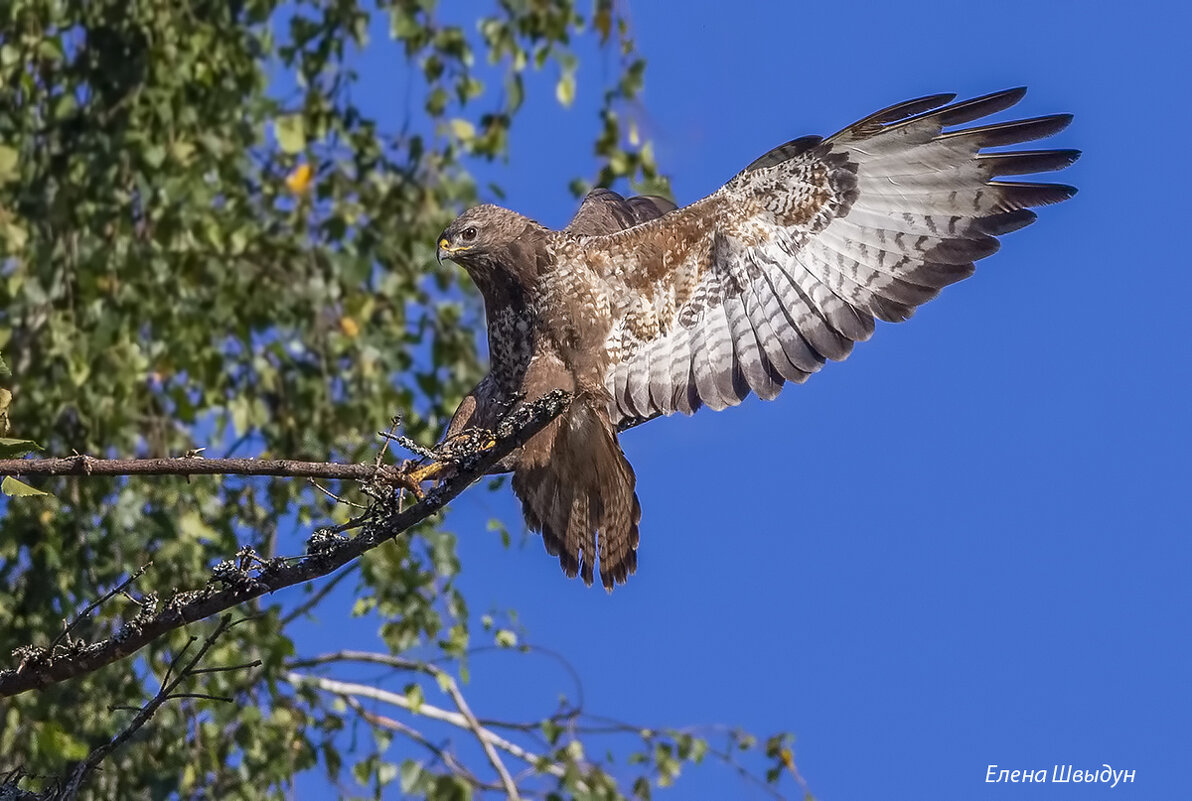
791	263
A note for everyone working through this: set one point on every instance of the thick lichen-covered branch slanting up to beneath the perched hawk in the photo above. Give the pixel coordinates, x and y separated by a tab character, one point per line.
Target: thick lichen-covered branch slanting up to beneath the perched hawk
232	585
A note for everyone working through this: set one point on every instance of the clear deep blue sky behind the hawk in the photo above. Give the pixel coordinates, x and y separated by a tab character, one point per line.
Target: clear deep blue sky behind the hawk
970	544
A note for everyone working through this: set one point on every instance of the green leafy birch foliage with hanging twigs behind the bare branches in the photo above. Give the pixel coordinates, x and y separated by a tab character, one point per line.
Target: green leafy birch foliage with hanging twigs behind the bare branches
208	243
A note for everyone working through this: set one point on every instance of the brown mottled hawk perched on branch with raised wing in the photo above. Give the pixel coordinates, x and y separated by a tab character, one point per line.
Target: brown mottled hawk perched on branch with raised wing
640	309
